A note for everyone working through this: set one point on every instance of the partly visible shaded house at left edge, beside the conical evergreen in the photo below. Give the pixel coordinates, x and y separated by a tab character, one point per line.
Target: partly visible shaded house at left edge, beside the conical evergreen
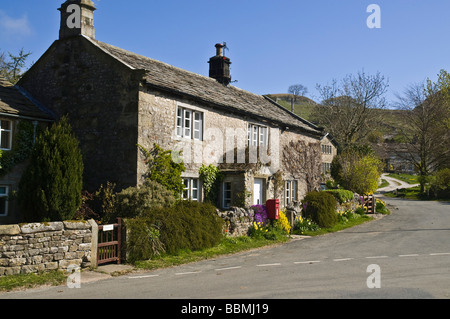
20	117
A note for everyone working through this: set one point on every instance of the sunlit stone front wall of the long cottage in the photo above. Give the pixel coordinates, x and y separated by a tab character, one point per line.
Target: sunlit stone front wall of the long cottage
157	123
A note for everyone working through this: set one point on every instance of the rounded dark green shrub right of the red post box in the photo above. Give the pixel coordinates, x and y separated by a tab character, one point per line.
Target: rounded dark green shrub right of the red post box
320	207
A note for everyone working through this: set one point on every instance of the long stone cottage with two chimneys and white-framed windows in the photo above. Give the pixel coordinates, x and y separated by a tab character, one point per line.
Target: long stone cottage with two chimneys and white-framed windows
117	100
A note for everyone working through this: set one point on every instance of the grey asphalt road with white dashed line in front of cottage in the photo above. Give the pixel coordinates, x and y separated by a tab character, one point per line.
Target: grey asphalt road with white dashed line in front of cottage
402	255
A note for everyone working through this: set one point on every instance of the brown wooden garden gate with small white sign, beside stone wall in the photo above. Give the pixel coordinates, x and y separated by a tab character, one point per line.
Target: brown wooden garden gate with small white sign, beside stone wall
109	243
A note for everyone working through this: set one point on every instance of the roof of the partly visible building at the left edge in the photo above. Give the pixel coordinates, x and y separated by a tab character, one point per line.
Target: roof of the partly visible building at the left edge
13	101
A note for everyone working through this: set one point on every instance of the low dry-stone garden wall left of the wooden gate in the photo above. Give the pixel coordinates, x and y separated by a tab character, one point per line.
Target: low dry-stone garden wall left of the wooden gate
35	247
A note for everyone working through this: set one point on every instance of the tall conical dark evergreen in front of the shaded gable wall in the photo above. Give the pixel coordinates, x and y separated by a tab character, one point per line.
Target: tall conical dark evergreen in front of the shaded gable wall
50	188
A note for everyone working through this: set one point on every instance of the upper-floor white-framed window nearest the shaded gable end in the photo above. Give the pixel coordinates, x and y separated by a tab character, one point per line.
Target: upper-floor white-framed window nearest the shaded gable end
189	123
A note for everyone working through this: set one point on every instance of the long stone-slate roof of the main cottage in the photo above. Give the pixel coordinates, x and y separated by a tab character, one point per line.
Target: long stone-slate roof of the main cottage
208	90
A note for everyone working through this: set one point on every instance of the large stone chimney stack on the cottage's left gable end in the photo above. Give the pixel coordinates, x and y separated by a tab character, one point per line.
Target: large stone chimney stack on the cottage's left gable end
77	18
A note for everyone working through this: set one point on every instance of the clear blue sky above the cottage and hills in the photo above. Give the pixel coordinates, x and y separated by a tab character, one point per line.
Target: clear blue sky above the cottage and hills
272	44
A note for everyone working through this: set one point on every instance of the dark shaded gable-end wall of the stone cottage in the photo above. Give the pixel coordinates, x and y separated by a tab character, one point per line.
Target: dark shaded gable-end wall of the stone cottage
100	96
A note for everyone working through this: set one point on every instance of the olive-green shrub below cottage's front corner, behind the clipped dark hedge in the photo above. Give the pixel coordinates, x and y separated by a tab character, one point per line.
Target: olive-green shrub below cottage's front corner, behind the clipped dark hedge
134	201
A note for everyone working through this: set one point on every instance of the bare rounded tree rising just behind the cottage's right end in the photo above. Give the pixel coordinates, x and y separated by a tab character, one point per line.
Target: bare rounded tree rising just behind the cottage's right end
350	108
